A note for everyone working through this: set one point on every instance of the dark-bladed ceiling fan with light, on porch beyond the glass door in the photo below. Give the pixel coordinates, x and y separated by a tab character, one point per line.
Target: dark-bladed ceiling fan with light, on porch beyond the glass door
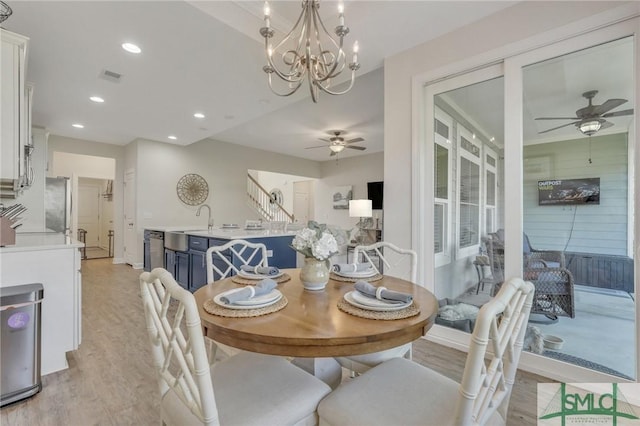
592	118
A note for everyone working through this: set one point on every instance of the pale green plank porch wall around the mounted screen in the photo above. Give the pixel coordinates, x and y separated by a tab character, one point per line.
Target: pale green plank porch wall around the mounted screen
591	228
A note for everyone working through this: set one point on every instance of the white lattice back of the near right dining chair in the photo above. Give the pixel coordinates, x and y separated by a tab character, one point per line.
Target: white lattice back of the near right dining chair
501	323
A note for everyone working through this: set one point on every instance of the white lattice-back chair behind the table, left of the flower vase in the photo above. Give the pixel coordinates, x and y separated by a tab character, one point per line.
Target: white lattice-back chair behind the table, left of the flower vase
225	260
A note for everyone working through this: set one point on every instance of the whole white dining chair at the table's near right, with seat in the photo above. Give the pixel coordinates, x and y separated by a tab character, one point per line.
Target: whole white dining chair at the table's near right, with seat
400	391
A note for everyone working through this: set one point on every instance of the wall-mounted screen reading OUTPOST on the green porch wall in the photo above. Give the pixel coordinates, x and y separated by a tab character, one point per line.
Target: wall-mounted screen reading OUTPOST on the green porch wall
554	192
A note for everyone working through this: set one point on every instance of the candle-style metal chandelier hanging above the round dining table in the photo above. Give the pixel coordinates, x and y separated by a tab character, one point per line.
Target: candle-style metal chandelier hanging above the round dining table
309	52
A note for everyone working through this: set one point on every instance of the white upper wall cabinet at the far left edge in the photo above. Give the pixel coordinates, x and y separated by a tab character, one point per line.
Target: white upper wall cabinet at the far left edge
15	114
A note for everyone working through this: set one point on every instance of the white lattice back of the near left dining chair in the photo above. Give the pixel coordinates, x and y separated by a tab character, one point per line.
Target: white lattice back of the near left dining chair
177	344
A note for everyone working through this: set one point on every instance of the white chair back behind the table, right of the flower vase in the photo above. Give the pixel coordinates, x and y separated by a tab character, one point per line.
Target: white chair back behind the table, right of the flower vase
396	260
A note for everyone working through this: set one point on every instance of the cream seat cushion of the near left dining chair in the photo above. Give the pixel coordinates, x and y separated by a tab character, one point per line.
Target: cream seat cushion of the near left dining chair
254	389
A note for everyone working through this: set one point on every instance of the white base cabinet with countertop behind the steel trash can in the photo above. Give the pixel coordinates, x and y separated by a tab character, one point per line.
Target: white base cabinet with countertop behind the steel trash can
53	260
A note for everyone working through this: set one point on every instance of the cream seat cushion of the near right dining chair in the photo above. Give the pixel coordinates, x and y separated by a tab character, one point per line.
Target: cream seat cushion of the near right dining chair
397	392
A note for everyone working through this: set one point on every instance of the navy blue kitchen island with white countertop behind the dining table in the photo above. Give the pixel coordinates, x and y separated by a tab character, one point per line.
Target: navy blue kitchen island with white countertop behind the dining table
187	261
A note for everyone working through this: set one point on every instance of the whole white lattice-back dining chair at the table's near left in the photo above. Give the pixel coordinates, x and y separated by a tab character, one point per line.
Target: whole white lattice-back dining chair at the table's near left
246	389
